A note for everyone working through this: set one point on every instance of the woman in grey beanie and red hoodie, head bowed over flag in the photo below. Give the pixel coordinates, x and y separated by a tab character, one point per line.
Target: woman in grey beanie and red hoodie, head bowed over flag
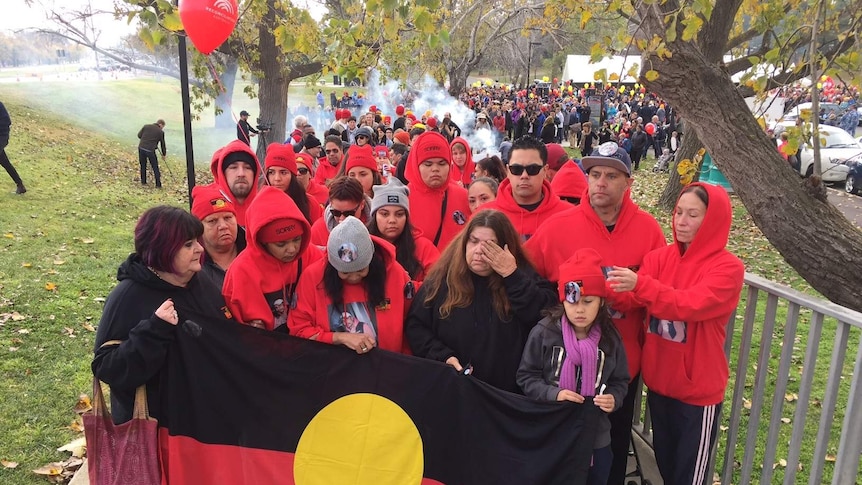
357	296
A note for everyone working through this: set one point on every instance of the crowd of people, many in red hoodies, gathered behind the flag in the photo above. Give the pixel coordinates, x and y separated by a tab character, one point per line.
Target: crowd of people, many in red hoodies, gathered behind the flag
531	271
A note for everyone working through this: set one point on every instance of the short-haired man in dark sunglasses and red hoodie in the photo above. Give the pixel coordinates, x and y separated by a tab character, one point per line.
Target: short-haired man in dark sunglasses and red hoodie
526	196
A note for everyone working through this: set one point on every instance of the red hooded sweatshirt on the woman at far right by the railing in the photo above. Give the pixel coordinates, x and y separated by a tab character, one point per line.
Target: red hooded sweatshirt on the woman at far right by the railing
689	295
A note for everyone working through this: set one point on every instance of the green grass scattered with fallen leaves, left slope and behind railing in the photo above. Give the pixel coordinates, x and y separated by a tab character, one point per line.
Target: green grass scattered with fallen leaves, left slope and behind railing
74	226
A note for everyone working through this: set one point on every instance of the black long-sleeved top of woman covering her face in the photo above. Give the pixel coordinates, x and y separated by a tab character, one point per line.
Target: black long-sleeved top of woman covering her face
476	335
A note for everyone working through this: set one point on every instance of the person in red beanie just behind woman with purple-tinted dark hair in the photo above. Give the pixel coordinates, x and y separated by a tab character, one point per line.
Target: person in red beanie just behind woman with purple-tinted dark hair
223	239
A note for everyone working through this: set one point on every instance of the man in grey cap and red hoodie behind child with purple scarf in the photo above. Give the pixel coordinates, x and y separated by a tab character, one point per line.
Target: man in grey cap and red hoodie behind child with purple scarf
623	234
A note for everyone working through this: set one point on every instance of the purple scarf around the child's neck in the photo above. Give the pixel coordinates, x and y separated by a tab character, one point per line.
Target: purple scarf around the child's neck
583	353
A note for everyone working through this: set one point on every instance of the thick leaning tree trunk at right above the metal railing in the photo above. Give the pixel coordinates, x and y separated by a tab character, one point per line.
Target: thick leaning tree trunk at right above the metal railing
811	235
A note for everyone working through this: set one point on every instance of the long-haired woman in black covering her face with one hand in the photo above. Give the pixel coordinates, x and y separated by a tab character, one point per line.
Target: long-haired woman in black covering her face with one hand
479	302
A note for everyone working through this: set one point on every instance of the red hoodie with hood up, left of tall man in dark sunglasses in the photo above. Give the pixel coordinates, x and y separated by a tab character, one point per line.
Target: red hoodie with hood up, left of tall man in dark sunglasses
426	203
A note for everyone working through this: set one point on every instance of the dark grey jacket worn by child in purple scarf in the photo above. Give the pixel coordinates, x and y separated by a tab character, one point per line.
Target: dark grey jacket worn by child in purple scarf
539	373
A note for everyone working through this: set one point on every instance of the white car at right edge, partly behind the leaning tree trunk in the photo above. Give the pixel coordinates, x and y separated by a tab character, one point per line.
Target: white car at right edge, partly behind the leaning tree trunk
839	148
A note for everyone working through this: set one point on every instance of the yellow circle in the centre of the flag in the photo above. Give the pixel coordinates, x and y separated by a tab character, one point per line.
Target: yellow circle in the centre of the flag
360	439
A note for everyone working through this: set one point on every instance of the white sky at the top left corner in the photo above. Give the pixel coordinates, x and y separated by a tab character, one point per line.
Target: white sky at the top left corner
17	15
